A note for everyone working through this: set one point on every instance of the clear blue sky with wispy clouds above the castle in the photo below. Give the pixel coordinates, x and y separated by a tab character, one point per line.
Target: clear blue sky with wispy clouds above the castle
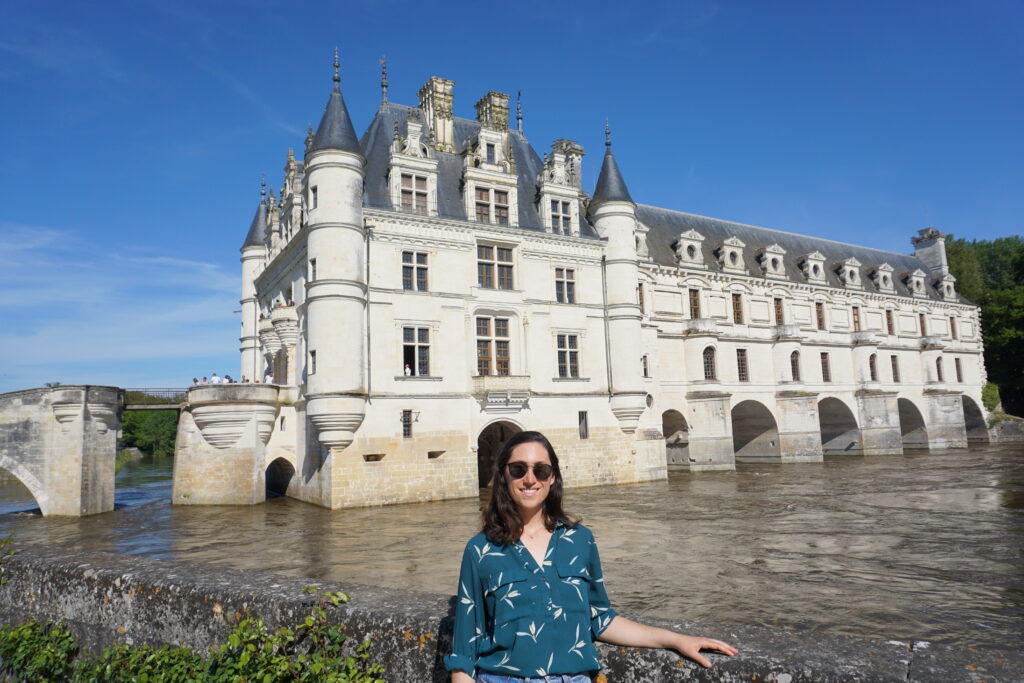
135	136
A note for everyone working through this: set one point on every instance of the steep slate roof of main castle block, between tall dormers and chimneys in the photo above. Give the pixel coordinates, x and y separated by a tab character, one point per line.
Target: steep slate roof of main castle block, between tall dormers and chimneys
377	146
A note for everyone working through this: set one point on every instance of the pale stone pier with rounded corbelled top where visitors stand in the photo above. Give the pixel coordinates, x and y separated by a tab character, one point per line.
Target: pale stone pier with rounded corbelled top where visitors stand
220	455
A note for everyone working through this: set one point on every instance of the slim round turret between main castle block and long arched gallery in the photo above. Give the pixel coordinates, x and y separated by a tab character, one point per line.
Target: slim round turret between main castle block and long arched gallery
614	215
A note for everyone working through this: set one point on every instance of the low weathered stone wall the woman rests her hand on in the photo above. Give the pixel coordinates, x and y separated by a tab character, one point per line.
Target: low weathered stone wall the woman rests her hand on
107	599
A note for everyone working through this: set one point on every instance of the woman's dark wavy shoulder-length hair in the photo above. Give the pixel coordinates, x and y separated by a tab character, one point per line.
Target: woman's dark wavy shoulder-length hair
502	524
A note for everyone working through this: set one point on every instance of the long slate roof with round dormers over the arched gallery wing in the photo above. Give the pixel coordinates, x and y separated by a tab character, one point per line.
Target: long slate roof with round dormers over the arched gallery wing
666	226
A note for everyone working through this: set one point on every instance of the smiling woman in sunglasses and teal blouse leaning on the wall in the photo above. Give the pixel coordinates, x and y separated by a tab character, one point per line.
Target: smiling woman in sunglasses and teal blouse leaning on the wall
532	599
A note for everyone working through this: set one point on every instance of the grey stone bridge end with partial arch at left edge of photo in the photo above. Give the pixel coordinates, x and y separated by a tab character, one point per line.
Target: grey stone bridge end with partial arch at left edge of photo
61	444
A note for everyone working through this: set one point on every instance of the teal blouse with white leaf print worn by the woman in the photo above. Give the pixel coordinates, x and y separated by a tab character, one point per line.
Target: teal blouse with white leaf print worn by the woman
516	618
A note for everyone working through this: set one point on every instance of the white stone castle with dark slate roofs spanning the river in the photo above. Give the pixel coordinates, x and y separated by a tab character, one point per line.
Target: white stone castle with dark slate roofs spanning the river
423	292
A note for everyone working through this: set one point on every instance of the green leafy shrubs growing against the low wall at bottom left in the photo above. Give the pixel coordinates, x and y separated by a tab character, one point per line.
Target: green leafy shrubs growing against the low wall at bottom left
313	651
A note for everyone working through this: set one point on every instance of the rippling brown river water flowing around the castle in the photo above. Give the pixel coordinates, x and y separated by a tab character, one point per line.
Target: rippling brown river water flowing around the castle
922	546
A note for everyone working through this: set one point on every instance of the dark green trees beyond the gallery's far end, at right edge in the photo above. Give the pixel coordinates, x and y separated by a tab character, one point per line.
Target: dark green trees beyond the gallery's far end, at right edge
991	273
